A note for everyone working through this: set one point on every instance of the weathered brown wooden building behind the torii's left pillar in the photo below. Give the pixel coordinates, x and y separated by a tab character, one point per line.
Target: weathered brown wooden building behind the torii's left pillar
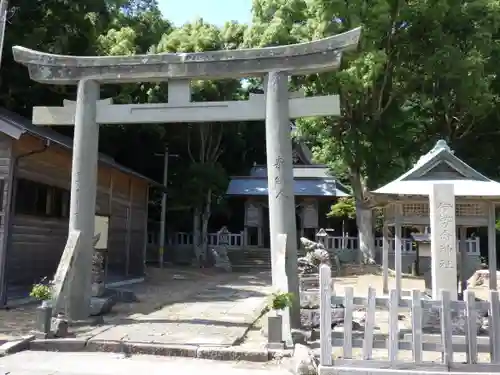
35	180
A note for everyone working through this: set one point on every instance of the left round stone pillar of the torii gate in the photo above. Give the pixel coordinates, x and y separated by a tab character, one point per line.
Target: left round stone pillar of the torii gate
83	197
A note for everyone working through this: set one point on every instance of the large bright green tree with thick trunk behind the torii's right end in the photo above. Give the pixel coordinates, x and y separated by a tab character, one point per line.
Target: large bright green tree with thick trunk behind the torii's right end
383	127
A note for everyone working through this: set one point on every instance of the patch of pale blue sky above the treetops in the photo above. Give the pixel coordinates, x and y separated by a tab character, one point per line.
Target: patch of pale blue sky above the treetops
212	11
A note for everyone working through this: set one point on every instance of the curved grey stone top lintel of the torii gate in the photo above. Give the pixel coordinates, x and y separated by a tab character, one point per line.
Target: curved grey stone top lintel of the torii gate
316	56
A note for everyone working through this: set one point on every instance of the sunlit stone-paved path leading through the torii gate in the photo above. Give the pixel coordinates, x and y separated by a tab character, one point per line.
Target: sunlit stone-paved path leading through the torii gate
216	315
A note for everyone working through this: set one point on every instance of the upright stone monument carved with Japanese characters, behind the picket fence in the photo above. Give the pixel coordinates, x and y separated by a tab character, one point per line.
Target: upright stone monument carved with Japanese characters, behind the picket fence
443	239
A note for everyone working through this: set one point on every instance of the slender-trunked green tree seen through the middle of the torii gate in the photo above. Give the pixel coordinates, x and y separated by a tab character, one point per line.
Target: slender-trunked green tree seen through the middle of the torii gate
205	141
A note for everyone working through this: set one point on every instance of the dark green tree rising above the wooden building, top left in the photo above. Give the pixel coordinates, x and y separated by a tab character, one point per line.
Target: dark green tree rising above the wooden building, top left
60	27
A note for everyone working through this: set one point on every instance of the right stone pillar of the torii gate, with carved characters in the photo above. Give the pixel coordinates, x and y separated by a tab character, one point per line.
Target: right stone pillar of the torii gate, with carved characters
281	184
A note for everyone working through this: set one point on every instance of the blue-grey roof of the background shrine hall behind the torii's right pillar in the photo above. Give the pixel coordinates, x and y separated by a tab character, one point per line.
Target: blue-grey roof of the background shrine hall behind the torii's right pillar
314	187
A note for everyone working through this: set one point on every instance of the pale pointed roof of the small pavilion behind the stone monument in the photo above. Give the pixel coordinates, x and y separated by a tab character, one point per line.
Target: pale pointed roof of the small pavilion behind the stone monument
440	165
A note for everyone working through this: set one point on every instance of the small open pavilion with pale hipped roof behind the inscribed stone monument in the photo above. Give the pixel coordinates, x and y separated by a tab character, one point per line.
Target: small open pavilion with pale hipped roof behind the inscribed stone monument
406	204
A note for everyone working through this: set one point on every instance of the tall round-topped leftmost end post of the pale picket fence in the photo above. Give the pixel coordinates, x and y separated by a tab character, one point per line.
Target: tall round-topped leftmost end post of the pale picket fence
325	306
